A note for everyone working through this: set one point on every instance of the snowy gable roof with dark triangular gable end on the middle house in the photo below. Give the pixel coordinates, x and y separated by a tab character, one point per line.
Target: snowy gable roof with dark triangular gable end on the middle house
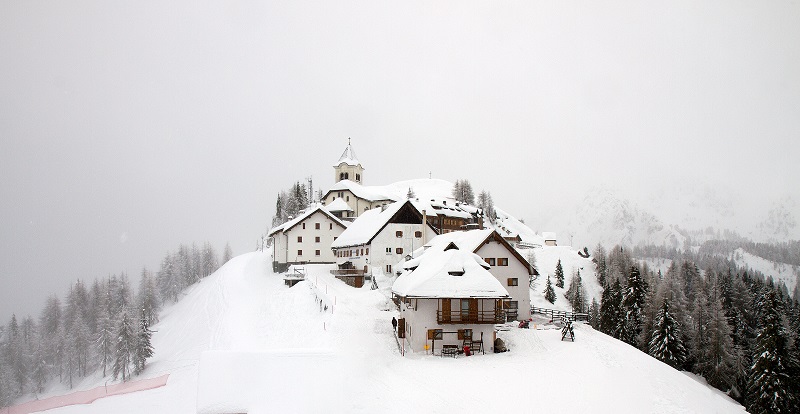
370	223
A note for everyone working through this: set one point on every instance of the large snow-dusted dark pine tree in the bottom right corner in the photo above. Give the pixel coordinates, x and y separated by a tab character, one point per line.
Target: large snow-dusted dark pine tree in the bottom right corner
770	386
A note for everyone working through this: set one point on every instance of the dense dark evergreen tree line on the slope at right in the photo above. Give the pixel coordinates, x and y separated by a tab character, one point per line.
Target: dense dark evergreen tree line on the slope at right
732	326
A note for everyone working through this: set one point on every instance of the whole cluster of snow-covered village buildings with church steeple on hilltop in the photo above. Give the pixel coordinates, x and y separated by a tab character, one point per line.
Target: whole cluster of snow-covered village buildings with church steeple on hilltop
455	272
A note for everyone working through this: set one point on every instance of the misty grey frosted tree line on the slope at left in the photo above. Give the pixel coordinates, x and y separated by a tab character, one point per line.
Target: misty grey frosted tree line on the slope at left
103	326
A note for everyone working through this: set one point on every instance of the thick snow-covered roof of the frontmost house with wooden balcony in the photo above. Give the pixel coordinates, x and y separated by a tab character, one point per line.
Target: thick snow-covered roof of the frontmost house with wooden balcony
449	274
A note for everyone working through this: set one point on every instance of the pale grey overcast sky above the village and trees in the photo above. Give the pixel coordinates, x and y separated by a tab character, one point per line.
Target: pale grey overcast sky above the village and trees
128	128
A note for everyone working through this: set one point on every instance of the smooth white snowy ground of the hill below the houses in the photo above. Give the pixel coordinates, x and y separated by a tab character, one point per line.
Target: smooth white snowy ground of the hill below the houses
246	310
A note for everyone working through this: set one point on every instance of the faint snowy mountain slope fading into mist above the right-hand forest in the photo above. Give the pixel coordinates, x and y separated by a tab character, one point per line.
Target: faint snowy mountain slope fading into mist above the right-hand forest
670	216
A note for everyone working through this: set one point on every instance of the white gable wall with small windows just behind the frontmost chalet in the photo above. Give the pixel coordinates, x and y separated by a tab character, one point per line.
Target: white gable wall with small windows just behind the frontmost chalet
515	269
